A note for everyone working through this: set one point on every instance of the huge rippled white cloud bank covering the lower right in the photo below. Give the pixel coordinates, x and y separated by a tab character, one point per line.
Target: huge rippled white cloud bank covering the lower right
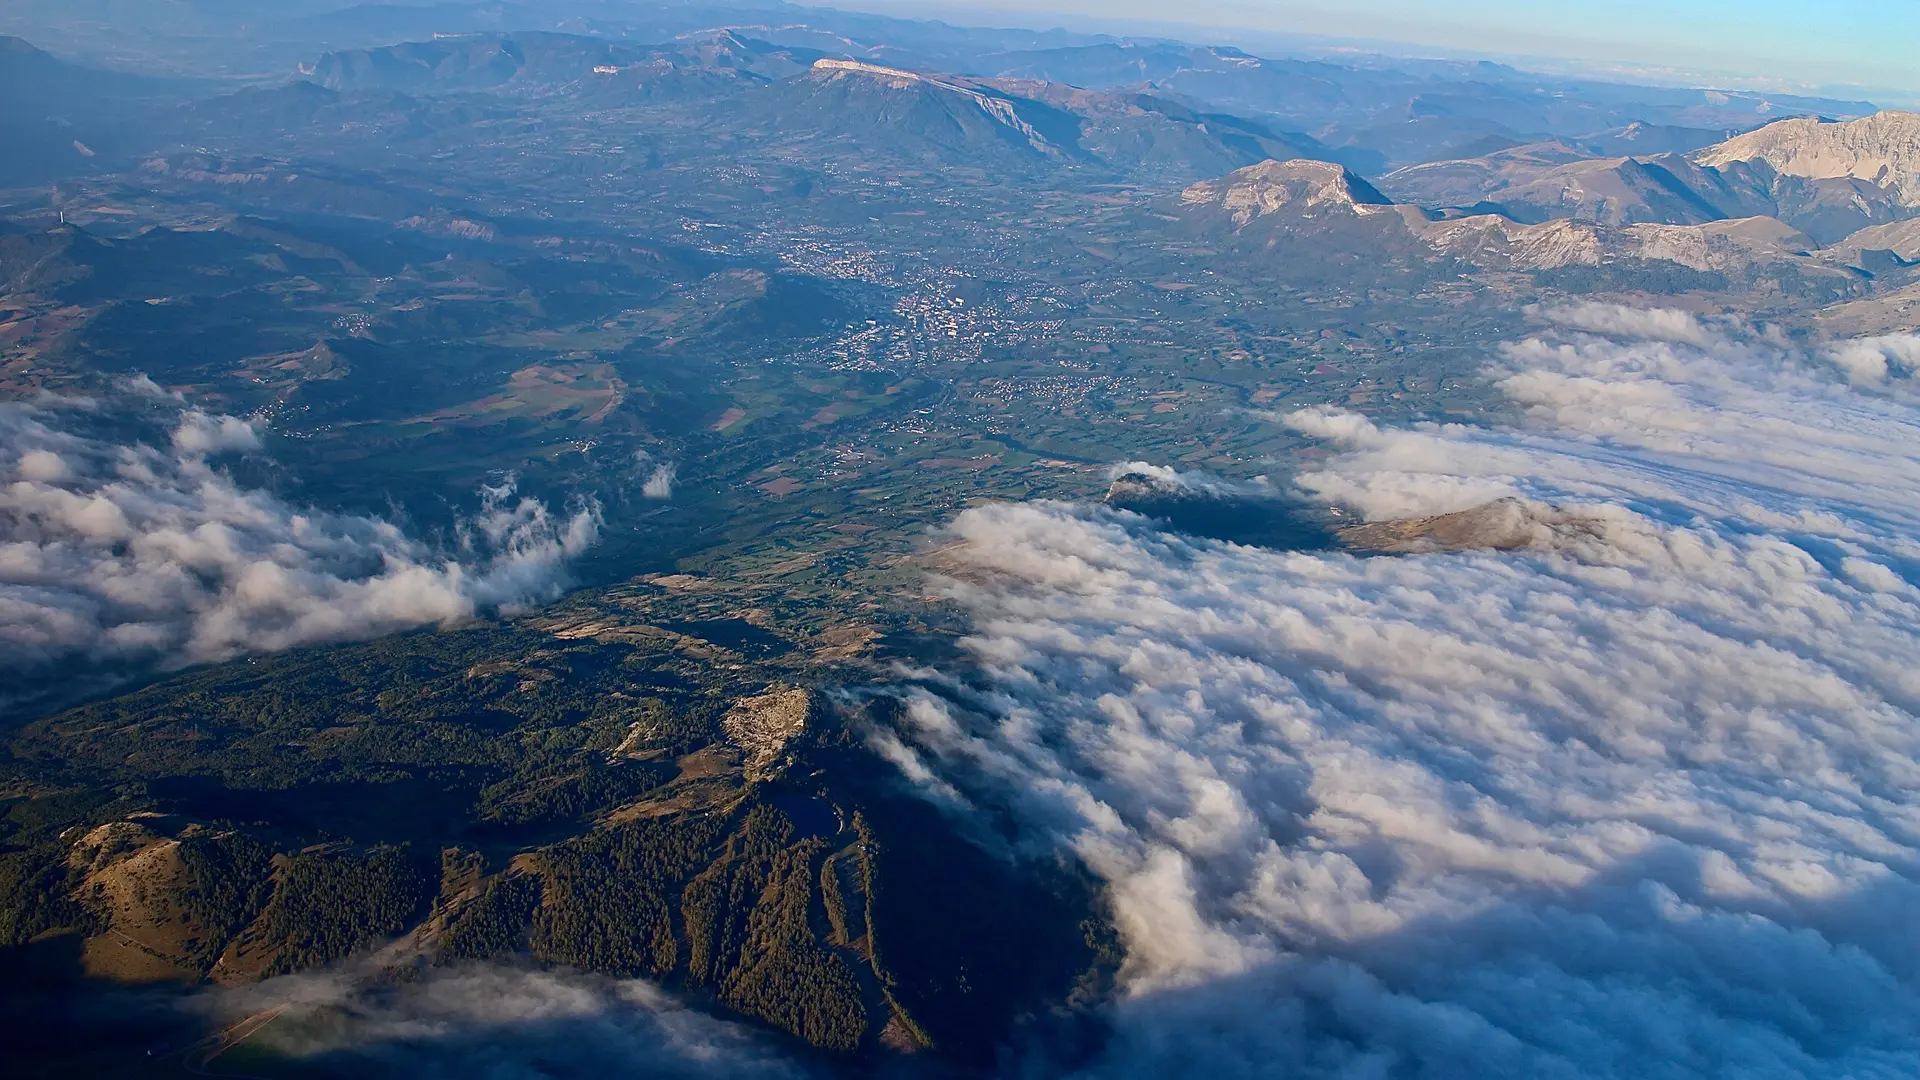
1646	808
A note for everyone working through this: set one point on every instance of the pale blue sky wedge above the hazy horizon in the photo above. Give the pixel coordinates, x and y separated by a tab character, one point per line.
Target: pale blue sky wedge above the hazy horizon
1781	43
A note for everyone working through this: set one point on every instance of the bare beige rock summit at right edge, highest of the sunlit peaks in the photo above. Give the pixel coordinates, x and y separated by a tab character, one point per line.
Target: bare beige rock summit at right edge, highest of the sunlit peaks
1883	149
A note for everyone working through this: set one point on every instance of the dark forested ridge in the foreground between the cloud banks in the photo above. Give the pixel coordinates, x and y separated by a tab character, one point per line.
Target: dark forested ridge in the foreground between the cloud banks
502	797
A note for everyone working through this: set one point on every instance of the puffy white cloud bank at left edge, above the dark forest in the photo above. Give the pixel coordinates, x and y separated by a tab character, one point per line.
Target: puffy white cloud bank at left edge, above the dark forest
145	552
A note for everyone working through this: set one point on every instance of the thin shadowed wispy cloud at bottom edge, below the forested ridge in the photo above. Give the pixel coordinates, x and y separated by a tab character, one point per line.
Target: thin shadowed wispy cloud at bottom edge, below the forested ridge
498	1023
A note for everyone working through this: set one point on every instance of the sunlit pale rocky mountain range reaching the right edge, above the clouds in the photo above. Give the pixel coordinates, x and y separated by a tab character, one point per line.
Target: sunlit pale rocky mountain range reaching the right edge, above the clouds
1777	201
